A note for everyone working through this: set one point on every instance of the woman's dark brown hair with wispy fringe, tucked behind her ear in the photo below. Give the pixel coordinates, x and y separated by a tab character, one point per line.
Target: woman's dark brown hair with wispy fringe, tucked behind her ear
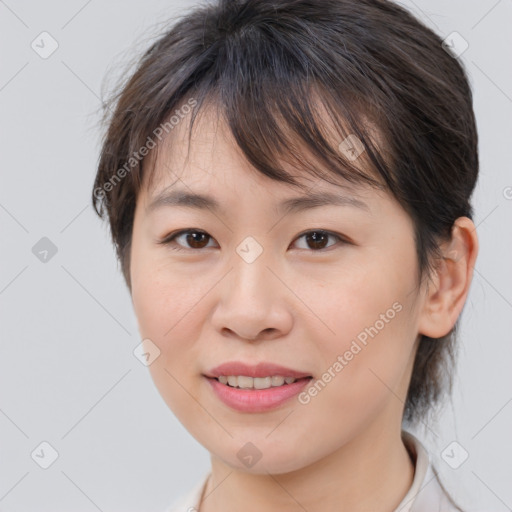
267	66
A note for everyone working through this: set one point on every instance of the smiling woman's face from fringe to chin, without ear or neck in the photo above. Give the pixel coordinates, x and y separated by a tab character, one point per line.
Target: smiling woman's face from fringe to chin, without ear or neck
256	283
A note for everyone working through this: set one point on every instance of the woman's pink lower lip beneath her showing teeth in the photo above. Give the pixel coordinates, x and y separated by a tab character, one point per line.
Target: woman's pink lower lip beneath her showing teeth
256	400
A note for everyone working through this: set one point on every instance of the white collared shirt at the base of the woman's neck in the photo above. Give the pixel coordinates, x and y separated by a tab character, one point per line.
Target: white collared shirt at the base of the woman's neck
426	493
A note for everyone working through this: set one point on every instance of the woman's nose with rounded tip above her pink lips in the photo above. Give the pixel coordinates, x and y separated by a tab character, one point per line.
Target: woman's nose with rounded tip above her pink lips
252	303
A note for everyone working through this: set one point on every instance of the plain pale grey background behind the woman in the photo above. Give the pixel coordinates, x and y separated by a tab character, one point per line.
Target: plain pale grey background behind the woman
68	375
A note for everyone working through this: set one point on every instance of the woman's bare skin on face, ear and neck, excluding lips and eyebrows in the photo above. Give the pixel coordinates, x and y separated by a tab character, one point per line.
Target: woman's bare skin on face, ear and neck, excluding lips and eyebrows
295	305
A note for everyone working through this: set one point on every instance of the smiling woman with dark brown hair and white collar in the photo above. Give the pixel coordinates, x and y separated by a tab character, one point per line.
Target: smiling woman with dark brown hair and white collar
288	189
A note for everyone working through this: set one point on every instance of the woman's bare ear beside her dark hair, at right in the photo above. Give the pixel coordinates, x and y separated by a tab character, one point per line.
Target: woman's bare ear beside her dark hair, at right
448	289
